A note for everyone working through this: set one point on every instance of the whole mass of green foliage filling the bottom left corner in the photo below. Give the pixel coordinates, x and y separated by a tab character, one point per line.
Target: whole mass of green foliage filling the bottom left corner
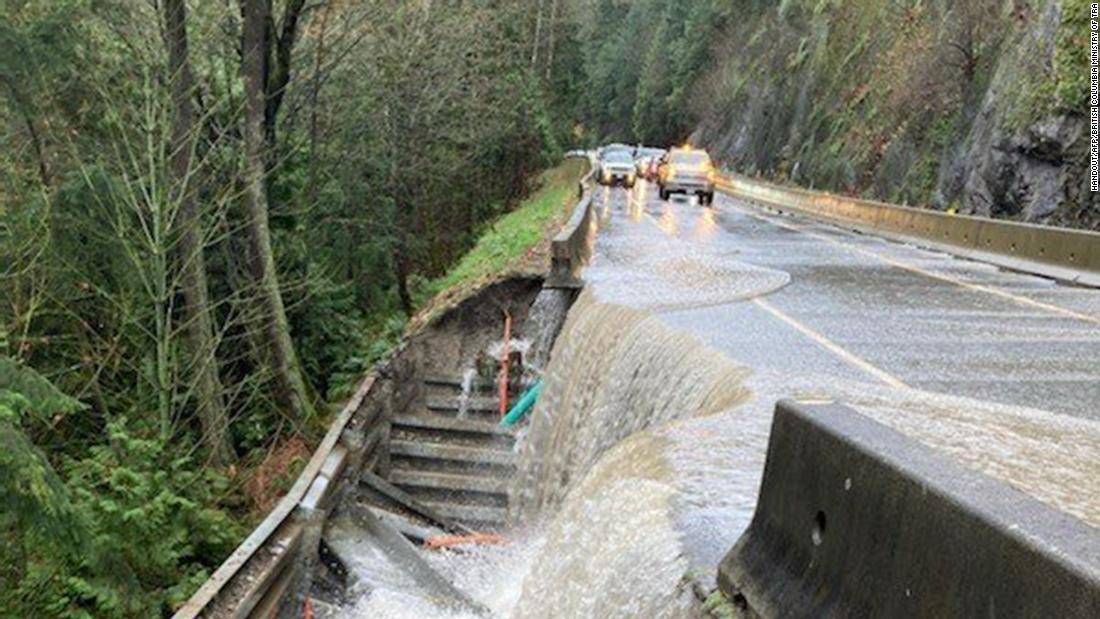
129	532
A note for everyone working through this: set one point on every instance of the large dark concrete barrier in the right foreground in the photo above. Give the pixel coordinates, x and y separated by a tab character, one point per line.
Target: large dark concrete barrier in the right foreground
855	519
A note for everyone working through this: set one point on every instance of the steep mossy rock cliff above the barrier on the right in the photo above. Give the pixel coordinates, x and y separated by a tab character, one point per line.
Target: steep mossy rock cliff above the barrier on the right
978	107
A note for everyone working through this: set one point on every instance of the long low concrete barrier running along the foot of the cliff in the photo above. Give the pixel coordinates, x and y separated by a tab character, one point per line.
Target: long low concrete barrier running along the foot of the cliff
1065	255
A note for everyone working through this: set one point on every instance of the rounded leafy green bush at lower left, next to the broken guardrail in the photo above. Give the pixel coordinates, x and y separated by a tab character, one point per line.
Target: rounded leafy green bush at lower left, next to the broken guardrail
157	522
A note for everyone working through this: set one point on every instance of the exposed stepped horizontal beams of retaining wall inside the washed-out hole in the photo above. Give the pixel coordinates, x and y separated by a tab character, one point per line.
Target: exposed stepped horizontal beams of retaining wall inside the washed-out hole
455	468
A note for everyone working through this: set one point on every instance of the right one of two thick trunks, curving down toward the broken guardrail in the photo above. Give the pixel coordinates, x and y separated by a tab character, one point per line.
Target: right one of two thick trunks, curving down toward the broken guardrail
291	388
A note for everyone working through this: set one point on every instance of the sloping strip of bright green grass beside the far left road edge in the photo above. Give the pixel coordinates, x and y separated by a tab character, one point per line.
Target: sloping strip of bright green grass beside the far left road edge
509	239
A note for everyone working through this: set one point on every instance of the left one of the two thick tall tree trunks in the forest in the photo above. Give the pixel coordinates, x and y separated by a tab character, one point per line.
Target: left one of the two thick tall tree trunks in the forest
196	311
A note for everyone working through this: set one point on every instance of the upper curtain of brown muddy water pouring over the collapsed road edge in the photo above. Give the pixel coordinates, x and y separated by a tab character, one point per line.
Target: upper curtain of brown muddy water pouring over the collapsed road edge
615	371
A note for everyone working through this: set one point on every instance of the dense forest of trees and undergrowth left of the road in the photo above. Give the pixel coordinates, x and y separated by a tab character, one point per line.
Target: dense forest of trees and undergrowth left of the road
214	218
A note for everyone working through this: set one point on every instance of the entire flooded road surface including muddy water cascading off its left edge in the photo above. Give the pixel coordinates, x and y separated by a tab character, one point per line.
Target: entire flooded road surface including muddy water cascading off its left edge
642	462
